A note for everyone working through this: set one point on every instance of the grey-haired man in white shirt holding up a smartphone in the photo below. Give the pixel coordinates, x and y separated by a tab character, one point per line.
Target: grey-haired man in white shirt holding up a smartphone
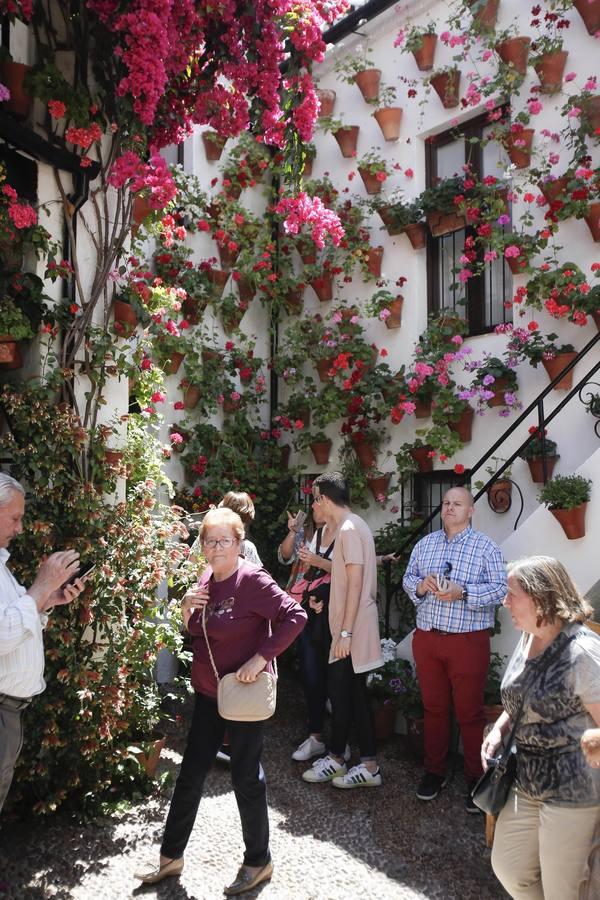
23	616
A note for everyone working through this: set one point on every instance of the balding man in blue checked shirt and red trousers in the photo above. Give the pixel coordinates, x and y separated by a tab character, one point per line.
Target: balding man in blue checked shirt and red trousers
456	578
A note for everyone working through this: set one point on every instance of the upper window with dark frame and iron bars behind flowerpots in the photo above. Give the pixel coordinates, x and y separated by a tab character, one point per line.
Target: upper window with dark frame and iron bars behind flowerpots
481	299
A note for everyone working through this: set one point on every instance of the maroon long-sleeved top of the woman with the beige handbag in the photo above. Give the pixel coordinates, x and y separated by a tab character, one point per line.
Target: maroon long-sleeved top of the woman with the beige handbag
247	613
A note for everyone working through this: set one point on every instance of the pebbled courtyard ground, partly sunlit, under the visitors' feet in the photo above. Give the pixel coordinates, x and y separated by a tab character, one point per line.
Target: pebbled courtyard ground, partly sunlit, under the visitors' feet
376	844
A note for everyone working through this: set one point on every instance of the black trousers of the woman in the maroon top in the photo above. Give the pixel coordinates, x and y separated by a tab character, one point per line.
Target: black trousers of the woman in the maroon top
247	778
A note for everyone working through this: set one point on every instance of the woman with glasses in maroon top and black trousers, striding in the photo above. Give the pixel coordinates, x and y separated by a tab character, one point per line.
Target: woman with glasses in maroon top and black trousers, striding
249	621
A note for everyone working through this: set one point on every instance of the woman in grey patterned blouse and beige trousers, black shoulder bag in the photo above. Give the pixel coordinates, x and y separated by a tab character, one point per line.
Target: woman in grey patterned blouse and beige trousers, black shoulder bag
544	833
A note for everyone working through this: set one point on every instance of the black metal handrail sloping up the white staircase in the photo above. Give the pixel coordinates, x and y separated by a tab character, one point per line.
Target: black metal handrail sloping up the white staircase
543	420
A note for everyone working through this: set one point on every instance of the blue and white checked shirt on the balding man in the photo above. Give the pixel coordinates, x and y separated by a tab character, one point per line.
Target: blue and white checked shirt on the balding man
470	559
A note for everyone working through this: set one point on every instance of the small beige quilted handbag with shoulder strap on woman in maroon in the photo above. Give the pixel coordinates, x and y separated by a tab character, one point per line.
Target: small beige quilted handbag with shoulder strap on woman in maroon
240	701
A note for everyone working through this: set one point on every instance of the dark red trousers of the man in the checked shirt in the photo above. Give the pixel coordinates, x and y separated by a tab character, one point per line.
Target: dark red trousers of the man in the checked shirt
452	669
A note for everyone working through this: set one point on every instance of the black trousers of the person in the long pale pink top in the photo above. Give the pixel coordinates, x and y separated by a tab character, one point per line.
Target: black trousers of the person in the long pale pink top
350	703
